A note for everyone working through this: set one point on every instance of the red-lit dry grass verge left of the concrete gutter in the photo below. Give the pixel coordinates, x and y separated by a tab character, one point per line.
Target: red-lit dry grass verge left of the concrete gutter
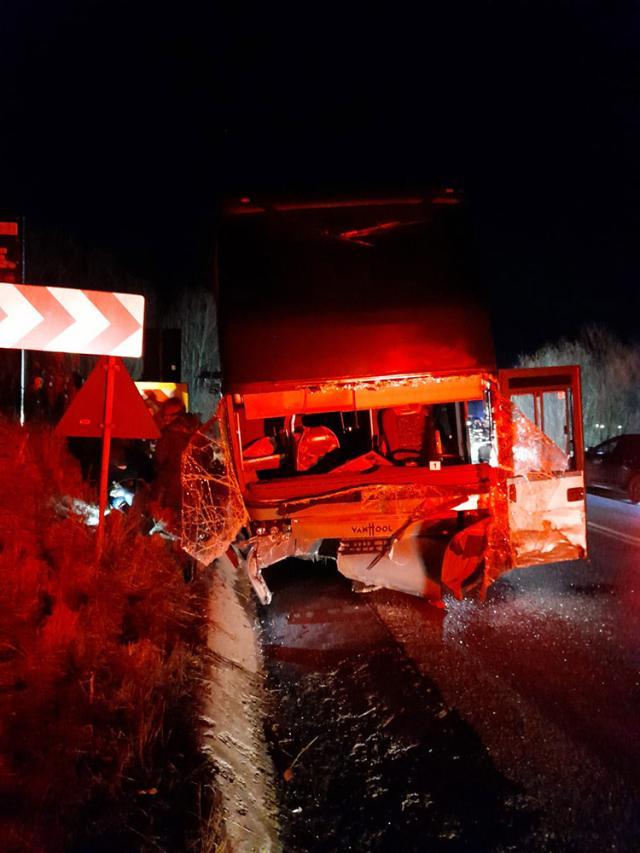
99	672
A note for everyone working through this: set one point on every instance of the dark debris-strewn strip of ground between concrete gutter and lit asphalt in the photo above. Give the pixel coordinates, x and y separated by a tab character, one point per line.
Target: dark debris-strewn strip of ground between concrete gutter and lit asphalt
369	754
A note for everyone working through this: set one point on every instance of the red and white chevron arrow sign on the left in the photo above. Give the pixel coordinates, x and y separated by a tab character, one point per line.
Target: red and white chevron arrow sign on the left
62	319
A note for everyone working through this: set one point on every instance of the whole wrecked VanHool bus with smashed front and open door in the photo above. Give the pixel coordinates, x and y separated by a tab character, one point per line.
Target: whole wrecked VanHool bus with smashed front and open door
363	417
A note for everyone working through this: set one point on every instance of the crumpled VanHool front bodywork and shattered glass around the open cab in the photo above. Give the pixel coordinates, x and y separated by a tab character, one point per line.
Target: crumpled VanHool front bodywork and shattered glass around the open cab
456	527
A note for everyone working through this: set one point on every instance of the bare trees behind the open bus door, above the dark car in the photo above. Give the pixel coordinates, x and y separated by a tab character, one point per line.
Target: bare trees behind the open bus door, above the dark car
610	373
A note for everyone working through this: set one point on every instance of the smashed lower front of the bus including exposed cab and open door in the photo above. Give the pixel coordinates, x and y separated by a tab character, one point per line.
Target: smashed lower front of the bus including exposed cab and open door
417	484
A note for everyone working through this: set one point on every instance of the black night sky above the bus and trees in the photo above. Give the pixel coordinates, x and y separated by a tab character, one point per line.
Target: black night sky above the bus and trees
127	123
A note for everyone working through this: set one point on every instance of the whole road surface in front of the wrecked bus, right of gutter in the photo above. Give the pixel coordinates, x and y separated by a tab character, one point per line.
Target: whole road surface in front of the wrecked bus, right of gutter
508	725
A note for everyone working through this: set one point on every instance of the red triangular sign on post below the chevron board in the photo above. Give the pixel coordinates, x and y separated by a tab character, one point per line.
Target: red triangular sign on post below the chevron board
131	417
